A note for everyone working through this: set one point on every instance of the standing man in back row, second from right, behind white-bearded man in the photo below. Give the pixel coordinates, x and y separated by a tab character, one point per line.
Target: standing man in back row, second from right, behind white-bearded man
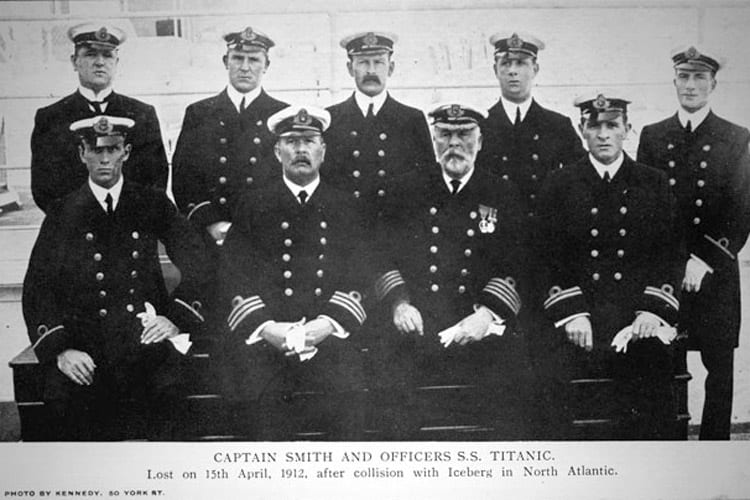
524	141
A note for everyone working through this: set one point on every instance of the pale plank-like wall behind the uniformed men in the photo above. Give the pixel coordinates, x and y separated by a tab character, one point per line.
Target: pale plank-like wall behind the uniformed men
443	52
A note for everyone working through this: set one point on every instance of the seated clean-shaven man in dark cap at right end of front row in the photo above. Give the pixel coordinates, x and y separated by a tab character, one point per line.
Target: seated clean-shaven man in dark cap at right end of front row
611	266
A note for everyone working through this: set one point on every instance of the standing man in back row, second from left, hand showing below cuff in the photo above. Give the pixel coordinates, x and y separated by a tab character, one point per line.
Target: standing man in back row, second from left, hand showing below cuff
224	146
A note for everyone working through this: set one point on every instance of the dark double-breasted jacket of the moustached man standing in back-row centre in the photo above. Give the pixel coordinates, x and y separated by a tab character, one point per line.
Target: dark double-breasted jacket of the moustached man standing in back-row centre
362	158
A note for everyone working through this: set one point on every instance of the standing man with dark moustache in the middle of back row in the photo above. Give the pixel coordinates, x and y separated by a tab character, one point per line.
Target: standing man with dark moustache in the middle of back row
373	138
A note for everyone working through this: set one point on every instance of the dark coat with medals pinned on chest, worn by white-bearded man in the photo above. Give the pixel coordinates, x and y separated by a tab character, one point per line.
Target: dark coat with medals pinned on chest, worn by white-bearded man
447	254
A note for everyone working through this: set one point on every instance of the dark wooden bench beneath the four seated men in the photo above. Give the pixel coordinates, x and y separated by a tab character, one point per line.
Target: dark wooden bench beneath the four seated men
449	411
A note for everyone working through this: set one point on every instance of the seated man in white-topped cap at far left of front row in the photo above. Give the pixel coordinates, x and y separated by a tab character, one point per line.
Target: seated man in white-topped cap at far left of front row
99	316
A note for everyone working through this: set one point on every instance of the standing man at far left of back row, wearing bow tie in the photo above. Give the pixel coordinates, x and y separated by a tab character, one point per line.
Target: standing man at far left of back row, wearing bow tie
55	163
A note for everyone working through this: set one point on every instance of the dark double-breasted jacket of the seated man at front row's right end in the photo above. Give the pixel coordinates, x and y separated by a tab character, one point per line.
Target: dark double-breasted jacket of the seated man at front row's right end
608	248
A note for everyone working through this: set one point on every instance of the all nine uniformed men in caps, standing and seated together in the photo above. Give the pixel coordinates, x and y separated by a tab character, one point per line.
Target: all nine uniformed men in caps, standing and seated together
515	262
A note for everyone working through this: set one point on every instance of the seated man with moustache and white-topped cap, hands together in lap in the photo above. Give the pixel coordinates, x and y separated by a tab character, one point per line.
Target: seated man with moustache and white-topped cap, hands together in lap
290	292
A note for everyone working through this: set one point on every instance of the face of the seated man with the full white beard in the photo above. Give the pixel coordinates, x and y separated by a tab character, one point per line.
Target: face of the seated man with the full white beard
456	147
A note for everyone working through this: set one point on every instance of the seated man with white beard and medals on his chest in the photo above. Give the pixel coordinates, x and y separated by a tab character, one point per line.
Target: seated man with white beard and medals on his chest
451	261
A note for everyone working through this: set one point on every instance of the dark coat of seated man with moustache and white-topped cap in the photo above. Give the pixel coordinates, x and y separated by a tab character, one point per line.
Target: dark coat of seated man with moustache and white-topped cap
284	261
